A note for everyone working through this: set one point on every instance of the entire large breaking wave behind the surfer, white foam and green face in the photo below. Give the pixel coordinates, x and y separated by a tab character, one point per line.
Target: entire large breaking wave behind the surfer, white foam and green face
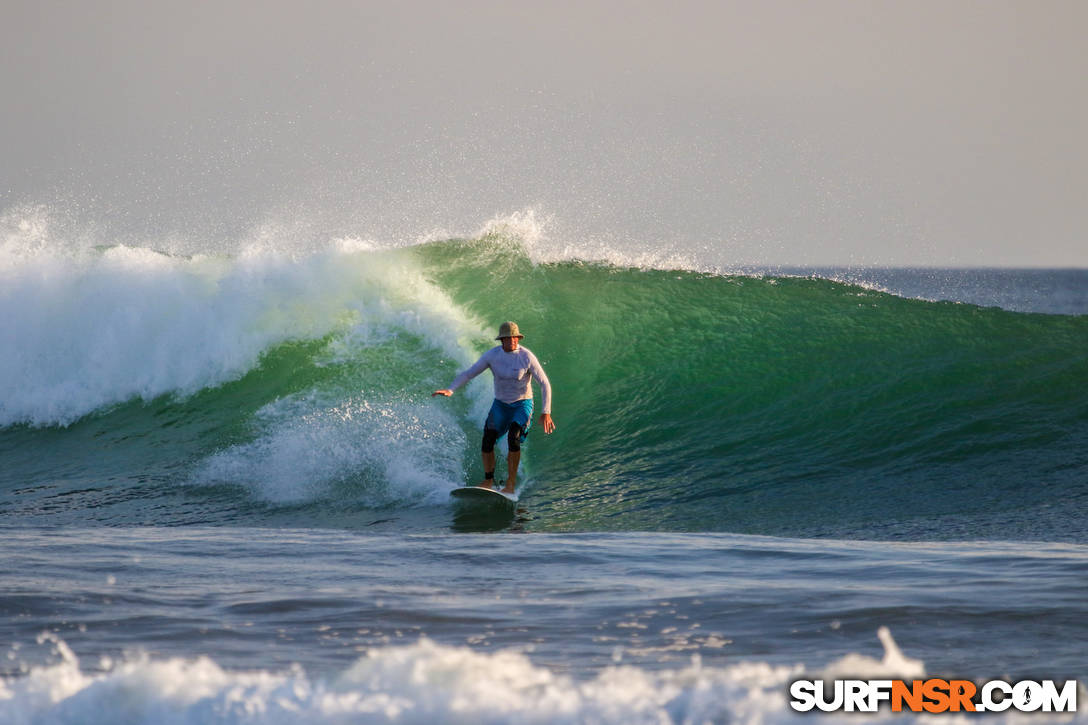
686	400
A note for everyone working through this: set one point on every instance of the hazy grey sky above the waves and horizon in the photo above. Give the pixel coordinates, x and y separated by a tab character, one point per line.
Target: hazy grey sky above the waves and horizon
793	133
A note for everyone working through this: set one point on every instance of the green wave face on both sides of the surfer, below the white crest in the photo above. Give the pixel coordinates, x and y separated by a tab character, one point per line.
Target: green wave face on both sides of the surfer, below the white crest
684	401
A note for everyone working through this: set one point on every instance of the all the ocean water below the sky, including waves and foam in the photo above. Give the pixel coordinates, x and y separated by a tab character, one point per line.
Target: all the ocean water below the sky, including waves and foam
225	484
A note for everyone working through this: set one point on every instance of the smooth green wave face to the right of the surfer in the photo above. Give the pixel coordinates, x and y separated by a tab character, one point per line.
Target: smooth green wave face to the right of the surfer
787	405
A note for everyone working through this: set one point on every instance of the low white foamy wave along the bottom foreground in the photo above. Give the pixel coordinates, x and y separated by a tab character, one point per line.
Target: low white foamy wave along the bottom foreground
423	683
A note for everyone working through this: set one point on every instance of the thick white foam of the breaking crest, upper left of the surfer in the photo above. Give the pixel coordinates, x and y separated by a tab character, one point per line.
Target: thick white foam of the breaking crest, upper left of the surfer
83	328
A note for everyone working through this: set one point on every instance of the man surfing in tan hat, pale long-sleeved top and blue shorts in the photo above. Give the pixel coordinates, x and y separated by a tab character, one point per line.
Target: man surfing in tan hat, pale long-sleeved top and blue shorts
513	367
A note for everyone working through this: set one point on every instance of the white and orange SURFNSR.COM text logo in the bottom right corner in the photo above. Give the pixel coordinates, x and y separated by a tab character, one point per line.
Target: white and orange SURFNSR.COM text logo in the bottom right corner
933	696
